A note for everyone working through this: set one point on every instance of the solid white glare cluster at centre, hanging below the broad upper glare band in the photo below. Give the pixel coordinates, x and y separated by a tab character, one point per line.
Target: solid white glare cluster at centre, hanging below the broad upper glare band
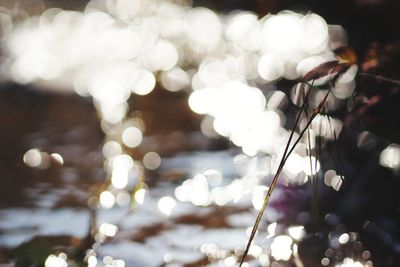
251	126
